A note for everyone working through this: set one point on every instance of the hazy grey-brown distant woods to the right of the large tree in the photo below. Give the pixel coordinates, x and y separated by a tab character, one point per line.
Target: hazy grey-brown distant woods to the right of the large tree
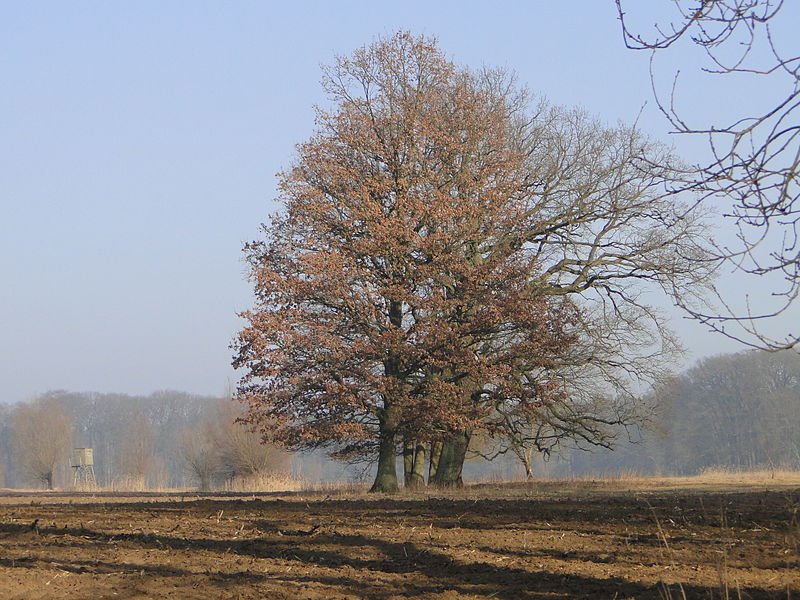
735	411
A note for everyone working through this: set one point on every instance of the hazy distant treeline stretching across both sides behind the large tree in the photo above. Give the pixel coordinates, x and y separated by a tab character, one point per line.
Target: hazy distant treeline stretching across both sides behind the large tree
738	411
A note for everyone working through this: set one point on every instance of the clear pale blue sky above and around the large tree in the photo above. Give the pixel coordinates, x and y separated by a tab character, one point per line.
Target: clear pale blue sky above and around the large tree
139	144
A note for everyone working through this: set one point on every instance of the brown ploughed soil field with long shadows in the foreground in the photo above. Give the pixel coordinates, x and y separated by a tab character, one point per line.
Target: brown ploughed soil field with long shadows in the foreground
576	540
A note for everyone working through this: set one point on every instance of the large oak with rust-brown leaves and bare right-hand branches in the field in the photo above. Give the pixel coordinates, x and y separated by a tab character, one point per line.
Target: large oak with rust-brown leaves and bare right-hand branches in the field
454	257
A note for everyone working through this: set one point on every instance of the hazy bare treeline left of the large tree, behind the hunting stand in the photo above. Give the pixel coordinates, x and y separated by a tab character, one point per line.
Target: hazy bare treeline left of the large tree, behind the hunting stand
139	442
